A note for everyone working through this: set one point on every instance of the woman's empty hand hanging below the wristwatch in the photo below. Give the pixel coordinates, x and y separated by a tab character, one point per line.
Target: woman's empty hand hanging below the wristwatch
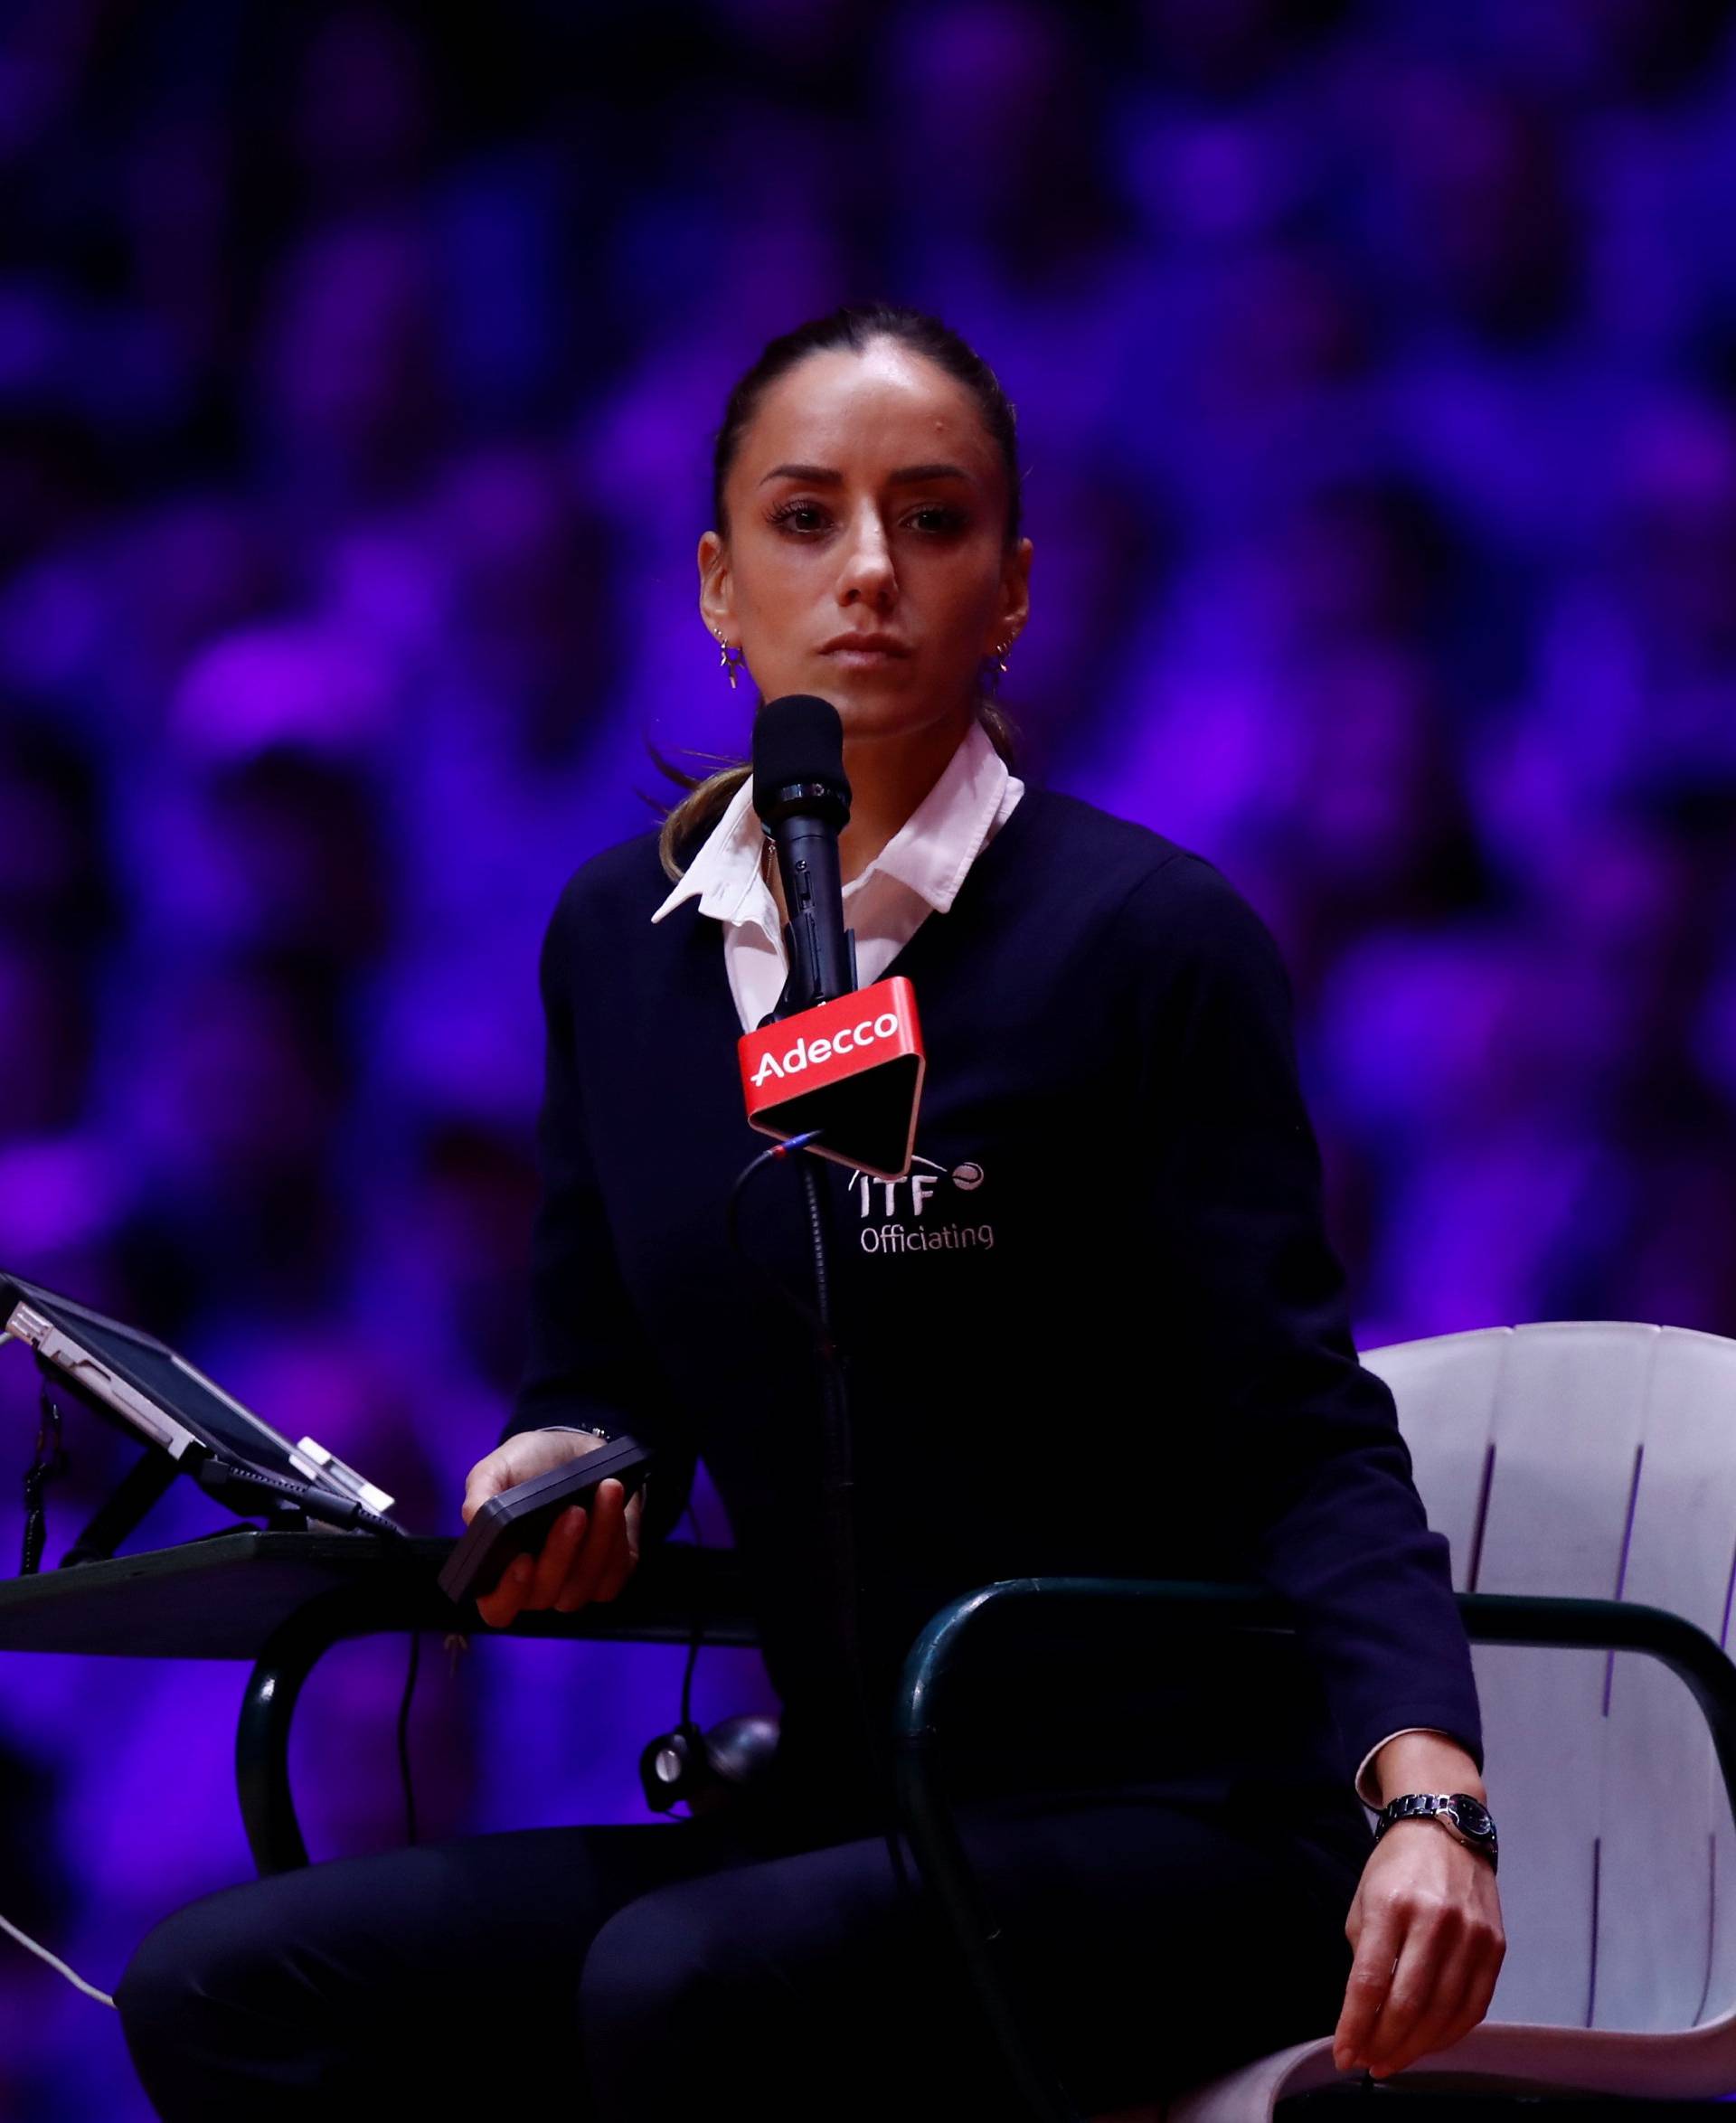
1427	1948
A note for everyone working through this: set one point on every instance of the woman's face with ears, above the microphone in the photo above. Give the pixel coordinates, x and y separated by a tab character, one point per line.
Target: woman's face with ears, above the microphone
867	557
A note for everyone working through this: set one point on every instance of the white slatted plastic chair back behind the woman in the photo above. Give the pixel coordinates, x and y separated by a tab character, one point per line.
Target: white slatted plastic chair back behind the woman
1593	1460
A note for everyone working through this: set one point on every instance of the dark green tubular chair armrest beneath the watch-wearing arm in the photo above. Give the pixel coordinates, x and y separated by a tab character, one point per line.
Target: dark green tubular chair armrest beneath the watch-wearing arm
1196	1608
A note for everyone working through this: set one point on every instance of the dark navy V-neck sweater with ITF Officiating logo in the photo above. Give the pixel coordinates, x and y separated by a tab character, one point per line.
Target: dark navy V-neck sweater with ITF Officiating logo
1109	1264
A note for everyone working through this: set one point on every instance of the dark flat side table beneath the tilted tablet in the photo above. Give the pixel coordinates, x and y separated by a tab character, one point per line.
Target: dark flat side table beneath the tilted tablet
226	1595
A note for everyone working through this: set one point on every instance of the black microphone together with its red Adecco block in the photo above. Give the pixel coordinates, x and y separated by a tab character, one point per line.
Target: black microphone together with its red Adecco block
831	1063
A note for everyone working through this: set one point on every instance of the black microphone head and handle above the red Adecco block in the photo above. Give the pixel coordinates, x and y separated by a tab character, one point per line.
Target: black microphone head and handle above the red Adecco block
801	795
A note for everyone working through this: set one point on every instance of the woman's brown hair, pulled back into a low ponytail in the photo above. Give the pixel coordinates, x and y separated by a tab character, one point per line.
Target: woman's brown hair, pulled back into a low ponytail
850	330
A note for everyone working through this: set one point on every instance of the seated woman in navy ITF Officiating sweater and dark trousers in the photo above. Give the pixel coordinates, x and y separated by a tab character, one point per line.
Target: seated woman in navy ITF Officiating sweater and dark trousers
1109	1264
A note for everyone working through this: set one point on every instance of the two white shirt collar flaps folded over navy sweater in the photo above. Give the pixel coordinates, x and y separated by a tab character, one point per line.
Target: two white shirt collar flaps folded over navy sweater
931	852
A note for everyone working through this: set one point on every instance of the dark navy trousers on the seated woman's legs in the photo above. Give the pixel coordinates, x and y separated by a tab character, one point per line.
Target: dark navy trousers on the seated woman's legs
676	1971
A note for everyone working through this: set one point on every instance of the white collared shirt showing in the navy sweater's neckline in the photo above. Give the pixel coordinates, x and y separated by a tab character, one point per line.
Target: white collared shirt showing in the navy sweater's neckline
916	876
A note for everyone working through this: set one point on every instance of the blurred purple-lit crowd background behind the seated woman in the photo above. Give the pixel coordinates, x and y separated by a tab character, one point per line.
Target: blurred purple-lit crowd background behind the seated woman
1378	387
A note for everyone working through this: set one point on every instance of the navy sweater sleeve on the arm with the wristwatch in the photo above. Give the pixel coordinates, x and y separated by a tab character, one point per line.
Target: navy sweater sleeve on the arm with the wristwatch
1336	1519
